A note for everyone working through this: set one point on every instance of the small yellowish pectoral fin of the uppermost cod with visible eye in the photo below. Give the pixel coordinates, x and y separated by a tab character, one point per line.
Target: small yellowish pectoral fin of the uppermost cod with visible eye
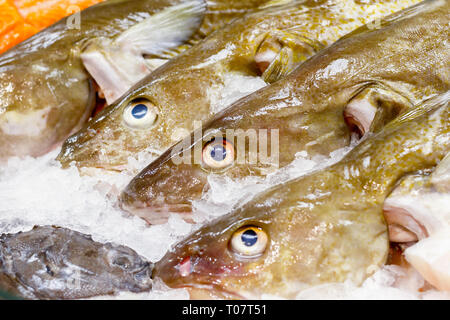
281	52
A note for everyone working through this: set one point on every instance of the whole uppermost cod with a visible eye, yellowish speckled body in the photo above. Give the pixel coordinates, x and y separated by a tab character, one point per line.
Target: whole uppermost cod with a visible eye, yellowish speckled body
238	59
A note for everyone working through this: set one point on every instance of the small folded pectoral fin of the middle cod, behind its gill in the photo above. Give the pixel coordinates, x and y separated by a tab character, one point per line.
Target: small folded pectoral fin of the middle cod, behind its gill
373	107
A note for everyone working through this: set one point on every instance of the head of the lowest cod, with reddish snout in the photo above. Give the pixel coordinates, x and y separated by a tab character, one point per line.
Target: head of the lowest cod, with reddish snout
276	246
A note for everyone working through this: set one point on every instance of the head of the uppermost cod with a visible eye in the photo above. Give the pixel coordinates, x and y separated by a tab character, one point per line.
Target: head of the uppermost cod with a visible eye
149	118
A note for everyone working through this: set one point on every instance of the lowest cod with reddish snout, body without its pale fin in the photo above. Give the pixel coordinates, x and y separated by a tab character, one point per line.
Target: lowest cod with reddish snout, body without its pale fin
324	227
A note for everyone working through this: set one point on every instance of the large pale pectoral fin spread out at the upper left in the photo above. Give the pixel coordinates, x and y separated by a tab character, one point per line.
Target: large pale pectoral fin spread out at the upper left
116	65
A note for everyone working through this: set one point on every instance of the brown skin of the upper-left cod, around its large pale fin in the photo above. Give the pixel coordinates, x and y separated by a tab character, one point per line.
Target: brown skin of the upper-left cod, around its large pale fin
45	92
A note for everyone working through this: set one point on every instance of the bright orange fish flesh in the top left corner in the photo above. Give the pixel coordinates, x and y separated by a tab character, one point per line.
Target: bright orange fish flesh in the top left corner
19	20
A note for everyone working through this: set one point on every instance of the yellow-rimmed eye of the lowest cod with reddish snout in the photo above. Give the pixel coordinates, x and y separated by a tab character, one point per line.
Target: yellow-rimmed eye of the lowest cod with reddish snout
249	241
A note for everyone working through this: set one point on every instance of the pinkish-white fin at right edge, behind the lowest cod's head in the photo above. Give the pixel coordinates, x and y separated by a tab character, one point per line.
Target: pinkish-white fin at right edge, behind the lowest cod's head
418	213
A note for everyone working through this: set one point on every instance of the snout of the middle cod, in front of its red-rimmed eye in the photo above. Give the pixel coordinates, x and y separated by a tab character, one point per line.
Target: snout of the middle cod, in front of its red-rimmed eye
157	193
